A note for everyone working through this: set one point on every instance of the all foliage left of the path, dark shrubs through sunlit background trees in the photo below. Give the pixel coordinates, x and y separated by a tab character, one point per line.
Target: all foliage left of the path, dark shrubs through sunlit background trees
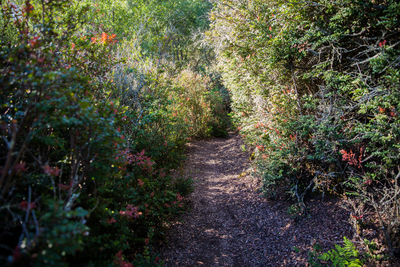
94	118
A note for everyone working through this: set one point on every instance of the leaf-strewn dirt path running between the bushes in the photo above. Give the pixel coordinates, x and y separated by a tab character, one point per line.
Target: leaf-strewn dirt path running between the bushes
230	223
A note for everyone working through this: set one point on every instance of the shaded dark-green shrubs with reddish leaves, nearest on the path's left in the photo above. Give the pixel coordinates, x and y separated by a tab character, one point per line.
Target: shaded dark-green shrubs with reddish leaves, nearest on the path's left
85	166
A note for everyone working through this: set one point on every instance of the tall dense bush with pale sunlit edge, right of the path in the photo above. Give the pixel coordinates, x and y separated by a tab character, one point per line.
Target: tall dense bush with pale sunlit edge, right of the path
315	88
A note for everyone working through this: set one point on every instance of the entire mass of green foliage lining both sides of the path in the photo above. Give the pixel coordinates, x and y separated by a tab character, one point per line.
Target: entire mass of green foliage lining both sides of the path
98	99
